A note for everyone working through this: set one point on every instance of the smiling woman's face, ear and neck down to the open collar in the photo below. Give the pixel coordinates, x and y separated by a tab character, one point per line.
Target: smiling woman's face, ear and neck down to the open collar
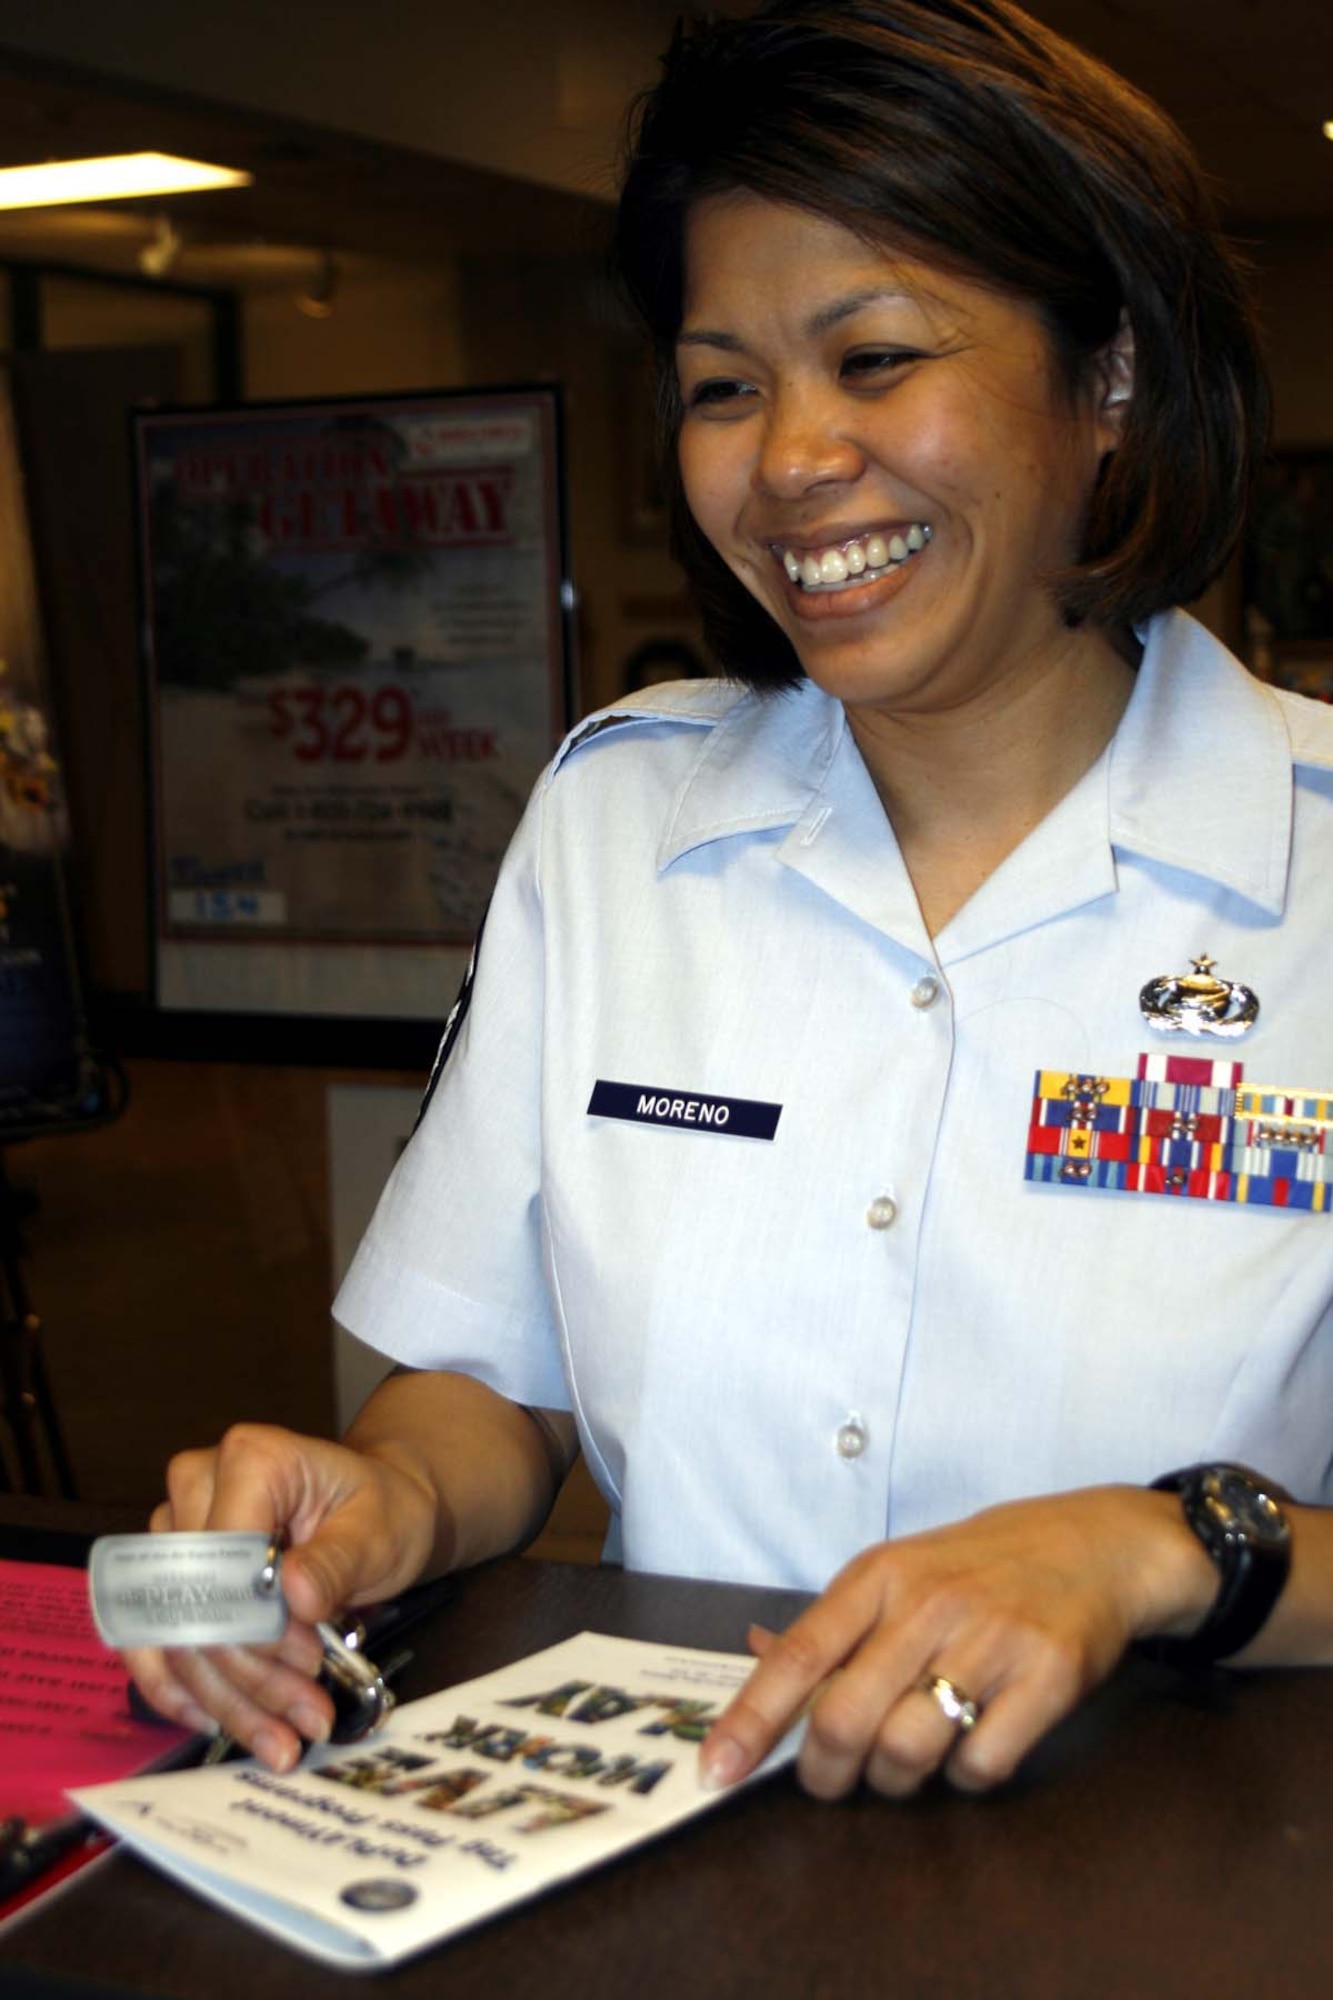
894	465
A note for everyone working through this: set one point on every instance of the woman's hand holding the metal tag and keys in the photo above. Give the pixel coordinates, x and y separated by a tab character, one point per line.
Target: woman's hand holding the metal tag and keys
357	1529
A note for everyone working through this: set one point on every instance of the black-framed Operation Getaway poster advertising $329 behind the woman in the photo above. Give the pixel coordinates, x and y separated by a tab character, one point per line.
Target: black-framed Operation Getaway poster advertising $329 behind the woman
355	625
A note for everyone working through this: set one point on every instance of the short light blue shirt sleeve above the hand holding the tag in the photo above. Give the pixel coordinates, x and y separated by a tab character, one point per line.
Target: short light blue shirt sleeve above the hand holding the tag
451	1271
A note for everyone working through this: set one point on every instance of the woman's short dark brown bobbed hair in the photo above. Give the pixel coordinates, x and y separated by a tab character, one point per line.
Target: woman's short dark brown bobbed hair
972	137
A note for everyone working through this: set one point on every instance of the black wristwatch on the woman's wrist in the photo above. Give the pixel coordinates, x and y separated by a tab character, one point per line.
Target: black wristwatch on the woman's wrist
1238	1517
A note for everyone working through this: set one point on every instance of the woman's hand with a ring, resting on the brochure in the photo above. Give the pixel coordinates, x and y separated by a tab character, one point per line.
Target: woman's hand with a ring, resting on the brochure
1022	1609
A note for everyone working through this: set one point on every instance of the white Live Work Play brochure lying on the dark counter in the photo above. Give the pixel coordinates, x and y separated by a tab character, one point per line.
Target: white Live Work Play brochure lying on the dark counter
467	1803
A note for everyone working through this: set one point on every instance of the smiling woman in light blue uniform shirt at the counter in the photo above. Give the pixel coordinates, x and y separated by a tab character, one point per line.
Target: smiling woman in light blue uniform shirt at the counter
812	1147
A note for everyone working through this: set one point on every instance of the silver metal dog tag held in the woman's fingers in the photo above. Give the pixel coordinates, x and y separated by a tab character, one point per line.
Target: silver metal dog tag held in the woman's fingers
211	1589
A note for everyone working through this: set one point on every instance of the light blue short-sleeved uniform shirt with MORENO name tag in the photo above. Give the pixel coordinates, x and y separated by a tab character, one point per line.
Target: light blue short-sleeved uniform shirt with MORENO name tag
782	1351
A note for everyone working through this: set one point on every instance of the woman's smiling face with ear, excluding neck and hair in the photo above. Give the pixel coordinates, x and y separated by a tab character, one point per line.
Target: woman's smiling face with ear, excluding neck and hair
882	453
